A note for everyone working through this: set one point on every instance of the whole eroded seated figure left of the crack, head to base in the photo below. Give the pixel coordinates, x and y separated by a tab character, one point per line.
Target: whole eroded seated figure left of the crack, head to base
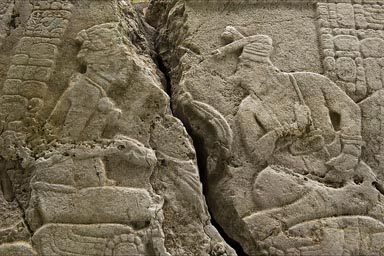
91	194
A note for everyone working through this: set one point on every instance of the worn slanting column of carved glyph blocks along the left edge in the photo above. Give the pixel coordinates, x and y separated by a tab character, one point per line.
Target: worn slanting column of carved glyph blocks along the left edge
23	95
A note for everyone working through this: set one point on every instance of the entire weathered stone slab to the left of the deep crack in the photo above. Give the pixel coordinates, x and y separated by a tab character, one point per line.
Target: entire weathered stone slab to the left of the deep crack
92	162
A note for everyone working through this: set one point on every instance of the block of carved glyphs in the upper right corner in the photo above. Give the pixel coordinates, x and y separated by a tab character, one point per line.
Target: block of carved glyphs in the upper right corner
351	39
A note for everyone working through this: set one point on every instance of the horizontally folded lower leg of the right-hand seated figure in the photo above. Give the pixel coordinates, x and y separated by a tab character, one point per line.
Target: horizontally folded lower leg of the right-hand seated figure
319	202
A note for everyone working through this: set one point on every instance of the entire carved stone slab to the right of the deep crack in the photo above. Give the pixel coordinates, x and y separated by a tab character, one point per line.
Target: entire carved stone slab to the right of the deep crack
289	131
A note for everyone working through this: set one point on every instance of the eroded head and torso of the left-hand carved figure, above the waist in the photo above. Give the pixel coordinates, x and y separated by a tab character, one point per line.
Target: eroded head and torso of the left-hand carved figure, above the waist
85	110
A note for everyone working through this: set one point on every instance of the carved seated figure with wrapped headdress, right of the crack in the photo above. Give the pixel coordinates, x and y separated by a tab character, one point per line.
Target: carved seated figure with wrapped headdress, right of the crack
302	133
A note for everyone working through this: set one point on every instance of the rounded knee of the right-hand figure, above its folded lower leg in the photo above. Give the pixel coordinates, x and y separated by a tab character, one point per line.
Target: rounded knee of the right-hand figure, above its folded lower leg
273	188
